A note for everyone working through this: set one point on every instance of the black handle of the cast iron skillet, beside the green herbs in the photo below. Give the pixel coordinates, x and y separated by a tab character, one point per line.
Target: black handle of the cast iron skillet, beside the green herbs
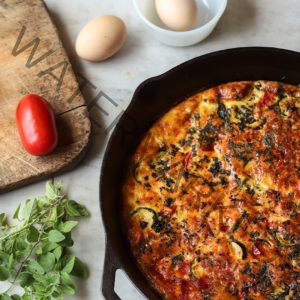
111	265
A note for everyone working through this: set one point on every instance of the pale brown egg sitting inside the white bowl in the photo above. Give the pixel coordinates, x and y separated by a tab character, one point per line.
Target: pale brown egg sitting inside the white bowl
179	15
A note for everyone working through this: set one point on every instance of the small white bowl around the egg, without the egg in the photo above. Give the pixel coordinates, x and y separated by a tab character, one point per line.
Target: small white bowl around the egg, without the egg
210	13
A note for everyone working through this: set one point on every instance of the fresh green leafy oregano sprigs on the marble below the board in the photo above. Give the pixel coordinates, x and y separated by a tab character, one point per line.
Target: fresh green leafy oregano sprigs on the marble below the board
34	252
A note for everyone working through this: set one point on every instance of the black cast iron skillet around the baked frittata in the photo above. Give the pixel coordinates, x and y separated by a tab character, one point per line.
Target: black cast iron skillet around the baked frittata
151	100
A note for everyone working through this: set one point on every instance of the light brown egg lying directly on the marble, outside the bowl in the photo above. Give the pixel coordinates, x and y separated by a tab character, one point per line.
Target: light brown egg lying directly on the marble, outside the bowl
101	38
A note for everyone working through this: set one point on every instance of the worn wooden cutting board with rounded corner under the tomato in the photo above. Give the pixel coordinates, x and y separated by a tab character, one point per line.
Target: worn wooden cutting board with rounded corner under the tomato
33	60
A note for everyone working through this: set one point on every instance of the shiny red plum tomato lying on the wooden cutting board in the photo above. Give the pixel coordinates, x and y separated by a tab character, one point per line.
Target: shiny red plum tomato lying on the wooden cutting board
36	125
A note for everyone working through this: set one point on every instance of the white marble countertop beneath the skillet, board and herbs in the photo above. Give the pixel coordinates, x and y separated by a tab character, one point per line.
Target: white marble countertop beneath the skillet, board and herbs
272	23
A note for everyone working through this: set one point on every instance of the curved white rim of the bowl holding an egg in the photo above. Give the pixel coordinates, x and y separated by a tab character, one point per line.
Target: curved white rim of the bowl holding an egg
171	32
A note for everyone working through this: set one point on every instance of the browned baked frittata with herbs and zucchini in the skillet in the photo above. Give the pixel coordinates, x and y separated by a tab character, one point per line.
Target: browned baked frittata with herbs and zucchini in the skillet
211	198
